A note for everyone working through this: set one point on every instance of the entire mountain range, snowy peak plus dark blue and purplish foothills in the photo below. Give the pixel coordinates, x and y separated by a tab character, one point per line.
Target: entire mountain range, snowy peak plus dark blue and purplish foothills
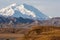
15	14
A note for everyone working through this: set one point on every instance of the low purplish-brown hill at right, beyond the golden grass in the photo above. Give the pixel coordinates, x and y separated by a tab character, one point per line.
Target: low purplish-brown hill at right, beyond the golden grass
55	21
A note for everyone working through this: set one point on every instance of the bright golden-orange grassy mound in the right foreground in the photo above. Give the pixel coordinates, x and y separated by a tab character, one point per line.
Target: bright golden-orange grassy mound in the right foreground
43	33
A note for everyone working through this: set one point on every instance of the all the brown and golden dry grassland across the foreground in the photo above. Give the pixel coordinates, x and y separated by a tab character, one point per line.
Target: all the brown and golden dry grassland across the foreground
33	33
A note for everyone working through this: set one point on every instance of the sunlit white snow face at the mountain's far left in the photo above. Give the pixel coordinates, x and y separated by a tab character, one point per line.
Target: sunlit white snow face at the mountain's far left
8	11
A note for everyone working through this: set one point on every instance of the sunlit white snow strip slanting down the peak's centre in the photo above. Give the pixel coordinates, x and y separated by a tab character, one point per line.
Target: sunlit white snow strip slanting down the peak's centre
25	11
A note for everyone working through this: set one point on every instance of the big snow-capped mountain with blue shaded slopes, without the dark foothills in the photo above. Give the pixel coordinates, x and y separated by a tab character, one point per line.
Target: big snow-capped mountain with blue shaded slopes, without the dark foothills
24	11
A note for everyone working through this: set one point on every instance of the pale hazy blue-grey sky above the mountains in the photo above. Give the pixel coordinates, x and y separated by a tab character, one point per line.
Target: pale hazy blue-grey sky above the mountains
48	7
